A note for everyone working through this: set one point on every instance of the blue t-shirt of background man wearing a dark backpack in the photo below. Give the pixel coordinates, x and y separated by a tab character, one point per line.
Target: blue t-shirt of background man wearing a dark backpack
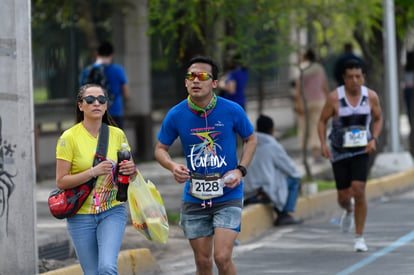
116	77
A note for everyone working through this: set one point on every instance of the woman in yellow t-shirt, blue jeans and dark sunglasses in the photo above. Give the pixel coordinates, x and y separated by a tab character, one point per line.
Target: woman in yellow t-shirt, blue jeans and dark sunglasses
98	227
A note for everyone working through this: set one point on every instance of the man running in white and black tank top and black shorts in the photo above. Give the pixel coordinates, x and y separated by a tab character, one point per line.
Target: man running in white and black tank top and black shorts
357	122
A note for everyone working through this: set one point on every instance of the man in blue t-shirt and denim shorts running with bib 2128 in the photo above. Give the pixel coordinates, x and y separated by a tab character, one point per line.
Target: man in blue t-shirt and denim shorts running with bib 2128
207	126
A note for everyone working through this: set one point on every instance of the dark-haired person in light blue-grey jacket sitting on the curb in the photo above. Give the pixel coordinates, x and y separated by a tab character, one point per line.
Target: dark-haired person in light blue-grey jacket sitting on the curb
272	175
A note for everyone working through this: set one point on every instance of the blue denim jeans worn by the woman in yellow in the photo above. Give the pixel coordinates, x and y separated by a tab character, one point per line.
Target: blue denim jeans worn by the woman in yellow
97	239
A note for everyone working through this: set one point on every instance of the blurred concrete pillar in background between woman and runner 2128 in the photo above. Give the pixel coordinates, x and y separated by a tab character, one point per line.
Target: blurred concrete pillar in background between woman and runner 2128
137	64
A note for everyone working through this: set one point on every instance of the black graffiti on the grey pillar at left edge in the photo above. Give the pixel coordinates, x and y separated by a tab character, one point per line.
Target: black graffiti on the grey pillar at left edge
7	150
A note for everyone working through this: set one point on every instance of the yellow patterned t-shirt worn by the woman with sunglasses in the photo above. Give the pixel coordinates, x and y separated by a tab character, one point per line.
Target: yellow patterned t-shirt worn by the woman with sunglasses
77	146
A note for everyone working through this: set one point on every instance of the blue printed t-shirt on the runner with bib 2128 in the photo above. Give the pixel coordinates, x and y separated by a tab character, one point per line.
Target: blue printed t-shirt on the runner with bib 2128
209	143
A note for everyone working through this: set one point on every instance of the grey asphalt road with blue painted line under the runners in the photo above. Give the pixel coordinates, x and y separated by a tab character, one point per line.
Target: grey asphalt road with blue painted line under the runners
319	247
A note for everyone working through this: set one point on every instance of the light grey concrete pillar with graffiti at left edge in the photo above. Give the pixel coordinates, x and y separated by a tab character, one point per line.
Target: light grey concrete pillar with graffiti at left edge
18	247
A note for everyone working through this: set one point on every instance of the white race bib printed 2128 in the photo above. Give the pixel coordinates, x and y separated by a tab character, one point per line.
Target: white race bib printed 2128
206	187
